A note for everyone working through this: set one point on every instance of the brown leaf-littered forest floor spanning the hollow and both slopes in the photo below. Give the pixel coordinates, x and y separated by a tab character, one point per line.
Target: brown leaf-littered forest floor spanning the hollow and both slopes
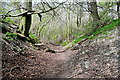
96	58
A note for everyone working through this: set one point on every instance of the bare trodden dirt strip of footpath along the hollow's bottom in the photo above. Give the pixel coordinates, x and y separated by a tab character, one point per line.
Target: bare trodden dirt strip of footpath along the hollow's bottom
60	67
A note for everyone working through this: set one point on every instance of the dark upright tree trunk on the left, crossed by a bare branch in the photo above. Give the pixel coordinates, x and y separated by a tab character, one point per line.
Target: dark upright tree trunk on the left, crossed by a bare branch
28	18
